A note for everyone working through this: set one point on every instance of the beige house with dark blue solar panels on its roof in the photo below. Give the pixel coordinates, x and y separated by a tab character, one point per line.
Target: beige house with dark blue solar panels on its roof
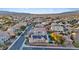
38	37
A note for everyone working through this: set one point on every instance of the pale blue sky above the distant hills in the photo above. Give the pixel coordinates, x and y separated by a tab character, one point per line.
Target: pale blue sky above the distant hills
39	10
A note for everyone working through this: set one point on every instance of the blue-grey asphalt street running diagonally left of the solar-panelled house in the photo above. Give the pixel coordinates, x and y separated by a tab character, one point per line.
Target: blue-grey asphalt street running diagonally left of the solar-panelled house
16	45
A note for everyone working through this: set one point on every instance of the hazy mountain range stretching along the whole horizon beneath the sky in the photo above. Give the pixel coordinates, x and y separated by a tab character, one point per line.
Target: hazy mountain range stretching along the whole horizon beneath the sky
17	13
